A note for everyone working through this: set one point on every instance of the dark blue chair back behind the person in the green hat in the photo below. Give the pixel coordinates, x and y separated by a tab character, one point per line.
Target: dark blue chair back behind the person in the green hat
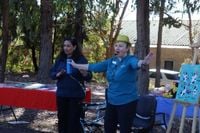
145	114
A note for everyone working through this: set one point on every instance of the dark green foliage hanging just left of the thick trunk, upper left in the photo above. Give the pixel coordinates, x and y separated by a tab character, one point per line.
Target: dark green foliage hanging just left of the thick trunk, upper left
30	23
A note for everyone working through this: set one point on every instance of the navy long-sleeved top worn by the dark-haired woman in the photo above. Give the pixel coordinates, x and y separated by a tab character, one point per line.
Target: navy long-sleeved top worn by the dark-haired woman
69	85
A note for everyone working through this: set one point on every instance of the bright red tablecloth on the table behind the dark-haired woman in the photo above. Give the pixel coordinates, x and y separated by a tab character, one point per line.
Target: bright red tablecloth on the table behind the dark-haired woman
41	99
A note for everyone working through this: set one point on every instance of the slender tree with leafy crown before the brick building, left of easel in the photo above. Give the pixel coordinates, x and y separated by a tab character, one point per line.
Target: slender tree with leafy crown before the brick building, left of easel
162	7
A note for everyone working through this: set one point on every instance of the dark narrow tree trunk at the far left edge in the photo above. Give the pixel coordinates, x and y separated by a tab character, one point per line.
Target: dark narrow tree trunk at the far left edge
4	50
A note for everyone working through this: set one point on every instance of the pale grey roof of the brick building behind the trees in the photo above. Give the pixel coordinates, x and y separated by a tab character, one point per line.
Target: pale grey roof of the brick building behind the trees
171	36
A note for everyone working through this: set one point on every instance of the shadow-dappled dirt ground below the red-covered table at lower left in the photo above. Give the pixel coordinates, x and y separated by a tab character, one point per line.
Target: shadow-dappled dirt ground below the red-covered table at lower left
32	121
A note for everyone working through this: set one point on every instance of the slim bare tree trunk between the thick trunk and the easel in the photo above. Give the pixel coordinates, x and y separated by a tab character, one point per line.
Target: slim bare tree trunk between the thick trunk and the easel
159	43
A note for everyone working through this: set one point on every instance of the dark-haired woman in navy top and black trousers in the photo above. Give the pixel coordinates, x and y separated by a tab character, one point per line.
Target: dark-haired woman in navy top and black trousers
69	92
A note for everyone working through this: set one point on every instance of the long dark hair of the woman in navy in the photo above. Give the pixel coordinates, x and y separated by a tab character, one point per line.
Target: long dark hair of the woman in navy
76	53
